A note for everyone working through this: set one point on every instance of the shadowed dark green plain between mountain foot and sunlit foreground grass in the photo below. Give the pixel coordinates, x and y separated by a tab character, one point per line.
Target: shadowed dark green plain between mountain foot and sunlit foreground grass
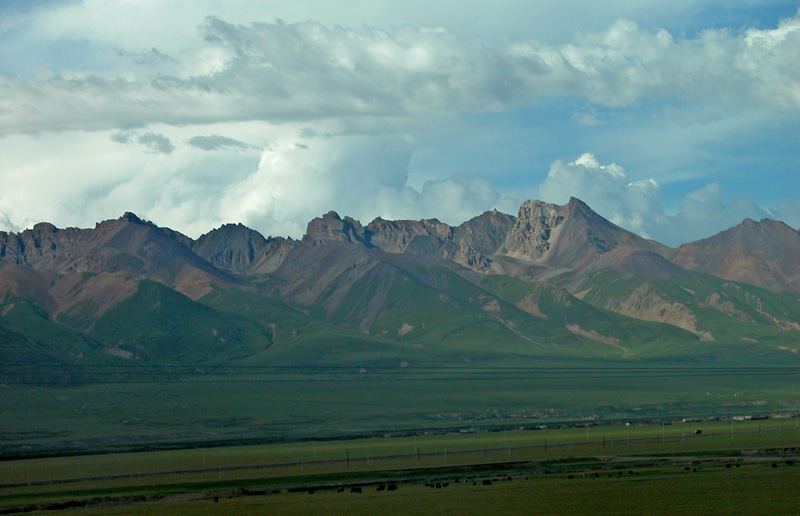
346	403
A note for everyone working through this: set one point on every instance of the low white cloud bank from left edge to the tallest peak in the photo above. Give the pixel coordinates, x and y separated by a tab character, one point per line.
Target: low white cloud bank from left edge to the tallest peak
276	189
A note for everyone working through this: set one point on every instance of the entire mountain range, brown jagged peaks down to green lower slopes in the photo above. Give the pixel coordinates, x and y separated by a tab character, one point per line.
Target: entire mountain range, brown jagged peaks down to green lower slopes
553	280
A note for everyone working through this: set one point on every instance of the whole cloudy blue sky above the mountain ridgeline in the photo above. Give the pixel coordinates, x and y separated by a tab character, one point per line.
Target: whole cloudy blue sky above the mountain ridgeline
674	119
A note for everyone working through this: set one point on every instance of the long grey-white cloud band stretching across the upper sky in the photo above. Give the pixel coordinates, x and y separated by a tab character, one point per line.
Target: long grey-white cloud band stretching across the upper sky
278	72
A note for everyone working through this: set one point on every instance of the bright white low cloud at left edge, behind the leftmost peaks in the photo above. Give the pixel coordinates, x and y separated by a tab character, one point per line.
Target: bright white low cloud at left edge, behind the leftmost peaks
42	178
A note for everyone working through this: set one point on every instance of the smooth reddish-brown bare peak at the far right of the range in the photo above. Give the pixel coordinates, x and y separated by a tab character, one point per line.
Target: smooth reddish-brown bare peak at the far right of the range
764	253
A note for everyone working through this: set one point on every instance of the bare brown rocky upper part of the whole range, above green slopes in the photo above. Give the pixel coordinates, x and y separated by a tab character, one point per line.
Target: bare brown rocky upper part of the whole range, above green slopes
350	272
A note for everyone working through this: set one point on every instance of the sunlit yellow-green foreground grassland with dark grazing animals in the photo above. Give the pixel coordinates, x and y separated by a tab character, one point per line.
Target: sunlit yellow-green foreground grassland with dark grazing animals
732	467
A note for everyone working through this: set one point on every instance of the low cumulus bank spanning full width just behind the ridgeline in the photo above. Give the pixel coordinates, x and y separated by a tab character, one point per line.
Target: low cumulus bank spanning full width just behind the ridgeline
301	175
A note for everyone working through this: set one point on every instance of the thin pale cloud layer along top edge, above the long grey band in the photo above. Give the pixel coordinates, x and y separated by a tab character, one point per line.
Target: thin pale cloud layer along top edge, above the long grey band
169	25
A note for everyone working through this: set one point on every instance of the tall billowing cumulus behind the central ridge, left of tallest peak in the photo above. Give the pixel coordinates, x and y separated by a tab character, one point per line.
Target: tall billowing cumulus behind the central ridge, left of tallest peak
360	176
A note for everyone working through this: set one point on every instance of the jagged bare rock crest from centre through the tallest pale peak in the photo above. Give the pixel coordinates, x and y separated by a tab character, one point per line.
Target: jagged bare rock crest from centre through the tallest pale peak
542	239
